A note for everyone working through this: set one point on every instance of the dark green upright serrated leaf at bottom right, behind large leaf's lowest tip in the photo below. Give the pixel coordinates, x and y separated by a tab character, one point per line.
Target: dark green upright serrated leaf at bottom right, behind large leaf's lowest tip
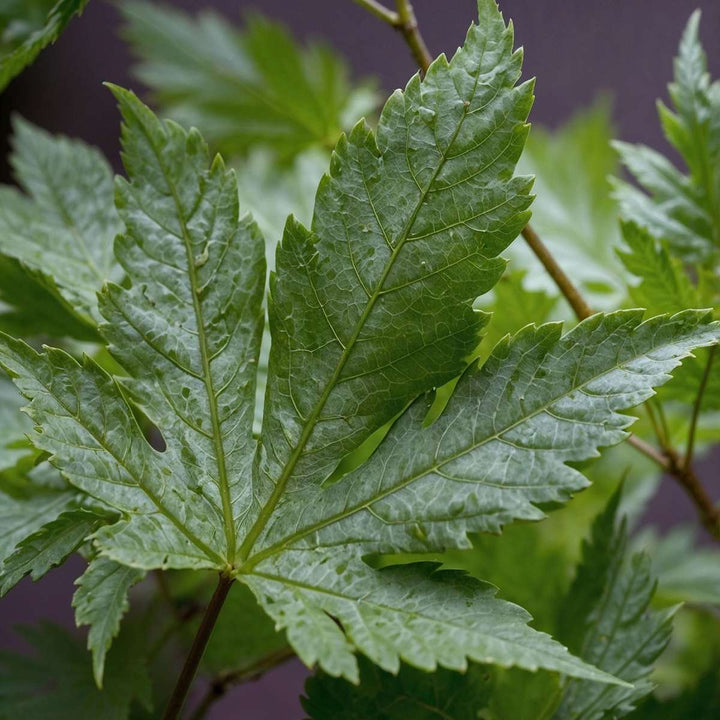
606	621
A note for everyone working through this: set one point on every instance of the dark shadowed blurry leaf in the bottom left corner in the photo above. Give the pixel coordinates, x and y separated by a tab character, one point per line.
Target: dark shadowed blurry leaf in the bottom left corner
56	683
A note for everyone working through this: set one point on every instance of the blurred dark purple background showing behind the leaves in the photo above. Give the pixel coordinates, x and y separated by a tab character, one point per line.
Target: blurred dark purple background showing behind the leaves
576	48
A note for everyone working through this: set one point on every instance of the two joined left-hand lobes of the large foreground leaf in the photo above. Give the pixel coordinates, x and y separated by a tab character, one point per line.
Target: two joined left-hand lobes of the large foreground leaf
189	330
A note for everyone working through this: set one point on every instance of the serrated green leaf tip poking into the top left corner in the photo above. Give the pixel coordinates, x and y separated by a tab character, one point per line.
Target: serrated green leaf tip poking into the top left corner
28	27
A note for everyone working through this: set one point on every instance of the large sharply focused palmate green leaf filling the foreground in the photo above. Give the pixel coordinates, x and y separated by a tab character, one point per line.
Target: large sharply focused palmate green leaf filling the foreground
370	308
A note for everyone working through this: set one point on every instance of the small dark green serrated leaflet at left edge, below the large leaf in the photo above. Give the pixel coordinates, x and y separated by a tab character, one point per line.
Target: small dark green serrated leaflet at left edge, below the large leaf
49	546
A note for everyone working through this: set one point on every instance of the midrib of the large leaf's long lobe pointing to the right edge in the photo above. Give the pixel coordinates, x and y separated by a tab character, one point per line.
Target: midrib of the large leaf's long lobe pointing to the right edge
285	542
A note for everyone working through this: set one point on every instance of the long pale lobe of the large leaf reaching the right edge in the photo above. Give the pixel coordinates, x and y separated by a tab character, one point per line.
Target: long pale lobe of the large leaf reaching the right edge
501	446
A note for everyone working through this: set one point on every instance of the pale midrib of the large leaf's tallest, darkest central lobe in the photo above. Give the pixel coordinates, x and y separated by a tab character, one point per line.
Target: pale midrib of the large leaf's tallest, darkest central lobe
309	425
